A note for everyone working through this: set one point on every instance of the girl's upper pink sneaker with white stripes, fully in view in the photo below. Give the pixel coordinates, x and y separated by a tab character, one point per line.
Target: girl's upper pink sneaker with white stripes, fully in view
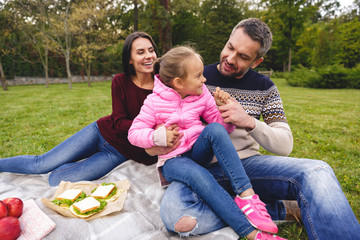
255	211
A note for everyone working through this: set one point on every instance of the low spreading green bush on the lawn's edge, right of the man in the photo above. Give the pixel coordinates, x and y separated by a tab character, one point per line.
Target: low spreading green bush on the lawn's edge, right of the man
334	76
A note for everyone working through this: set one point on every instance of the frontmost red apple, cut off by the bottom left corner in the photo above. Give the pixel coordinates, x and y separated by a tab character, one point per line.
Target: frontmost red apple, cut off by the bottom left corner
9	228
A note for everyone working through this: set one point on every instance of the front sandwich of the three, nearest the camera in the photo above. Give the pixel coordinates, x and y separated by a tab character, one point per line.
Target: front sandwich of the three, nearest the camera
87	207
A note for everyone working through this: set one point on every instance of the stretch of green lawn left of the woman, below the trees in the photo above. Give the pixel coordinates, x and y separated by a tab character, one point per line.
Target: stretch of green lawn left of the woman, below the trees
34	119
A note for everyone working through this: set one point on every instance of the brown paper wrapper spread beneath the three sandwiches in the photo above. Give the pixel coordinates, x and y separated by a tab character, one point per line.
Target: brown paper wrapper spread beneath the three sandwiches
87	187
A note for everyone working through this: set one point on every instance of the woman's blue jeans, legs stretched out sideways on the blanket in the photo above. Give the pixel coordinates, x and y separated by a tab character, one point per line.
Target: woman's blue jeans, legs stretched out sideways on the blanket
84	156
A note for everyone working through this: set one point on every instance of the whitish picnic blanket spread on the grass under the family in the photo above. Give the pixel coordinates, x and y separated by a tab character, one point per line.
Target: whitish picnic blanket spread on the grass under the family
139	220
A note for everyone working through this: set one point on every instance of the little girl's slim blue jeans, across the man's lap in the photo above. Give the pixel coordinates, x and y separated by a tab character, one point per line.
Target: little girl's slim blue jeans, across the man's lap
191	170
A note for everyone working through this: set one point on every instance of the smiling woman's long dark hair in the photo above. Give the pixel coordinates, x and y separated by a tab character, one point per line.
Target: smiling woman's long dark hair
126	52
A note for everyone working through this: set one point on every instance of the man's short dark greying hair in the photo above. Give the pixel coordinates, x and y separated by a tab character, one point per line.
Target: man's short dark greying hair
257	31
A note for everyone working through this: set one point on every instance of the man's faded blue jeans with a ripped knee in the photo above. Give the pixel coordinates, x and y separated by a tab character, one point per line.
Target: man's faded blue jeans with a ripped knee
325	211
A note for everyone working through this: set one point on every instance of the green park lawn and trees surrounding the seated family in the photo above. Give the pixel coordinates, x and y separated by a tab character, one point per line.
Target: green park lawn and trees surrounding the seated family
315	61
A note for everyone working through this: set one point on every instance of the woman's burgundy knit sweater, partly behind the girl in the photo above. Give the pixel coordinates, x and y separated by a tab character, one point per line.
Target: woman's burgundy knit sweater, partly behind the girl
127	99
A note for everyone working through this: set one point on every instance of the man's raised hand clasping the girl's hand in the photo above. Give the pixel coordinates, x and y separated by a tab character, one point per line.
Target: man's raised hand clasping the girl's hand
234	113
